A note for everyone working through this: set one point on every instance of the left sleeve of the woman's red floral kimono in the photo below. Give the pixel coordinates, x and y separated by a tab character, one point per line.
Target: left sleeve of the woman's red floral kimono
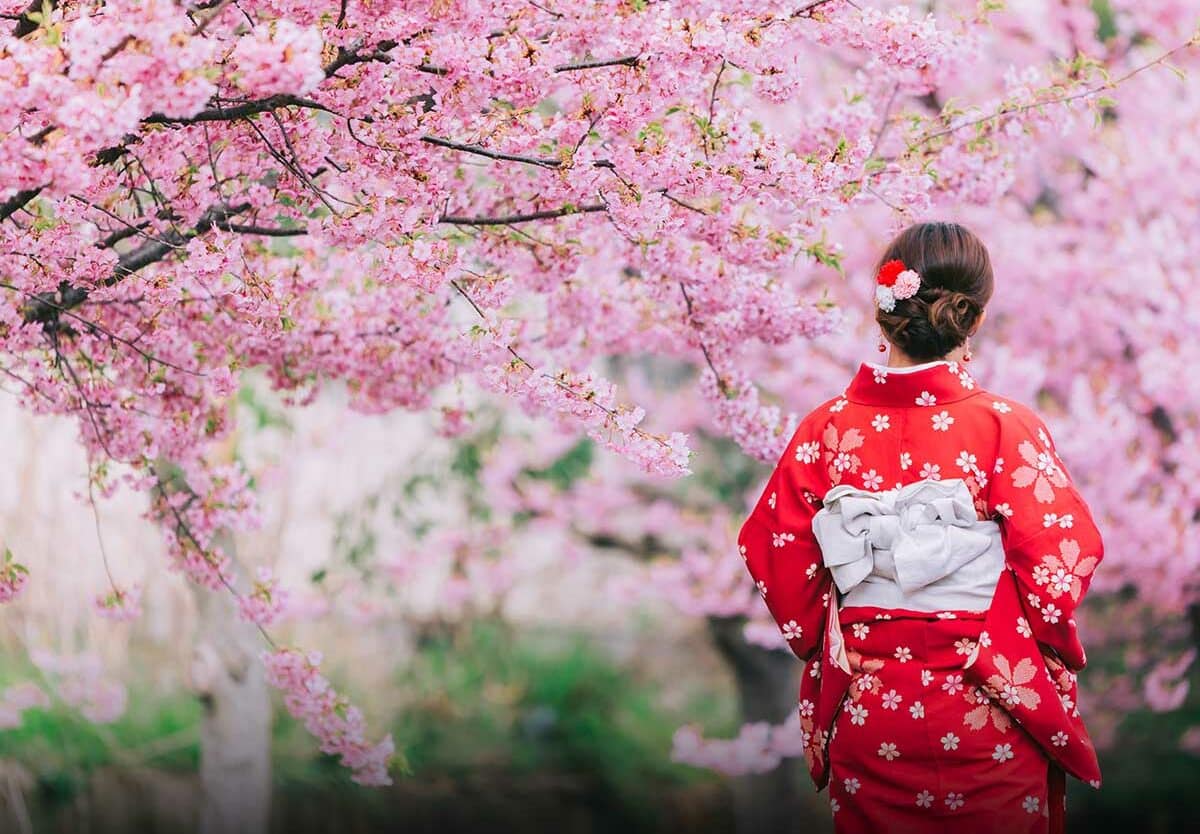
781	551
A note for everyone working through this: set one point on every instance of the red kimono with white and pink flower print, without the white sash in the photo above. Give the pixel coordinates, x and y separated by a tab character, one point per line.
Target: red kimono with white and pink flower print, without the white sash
950	721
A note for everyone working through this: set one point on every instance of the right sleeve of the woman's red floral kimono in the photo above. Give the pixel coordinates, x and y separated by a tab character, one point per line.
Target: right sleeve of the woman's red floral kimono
1052	542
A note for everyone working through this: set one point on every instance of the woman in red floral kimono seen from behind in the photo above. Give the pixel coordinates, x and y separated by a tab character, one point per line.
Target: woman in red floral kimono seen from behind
922	543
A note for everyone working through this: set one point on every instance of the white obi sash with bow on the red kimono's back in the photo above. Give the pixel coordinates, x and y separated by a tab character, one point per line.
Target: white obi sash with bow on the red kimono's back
921	547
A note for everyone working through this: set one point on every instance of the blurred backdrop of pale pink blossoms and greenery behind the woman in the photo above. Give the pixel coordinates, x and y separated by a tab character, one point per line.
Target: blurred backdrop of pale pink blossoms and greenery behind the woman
556	639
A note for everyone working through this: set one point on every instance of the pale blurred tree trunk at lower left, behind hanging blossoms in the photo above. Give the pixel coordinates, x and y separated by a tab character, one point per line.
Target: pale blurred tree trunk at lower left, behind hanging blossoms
236	735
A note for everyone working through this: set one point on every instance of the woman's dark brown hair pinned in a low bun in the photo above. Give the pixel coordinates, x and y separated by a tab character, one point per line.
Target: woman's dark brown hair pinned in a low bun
956	286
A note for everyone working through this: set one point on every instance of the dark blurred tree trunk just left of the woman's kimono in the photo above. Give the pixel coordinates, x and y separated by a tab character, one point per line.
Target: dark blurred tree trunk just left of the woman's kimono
783	801
